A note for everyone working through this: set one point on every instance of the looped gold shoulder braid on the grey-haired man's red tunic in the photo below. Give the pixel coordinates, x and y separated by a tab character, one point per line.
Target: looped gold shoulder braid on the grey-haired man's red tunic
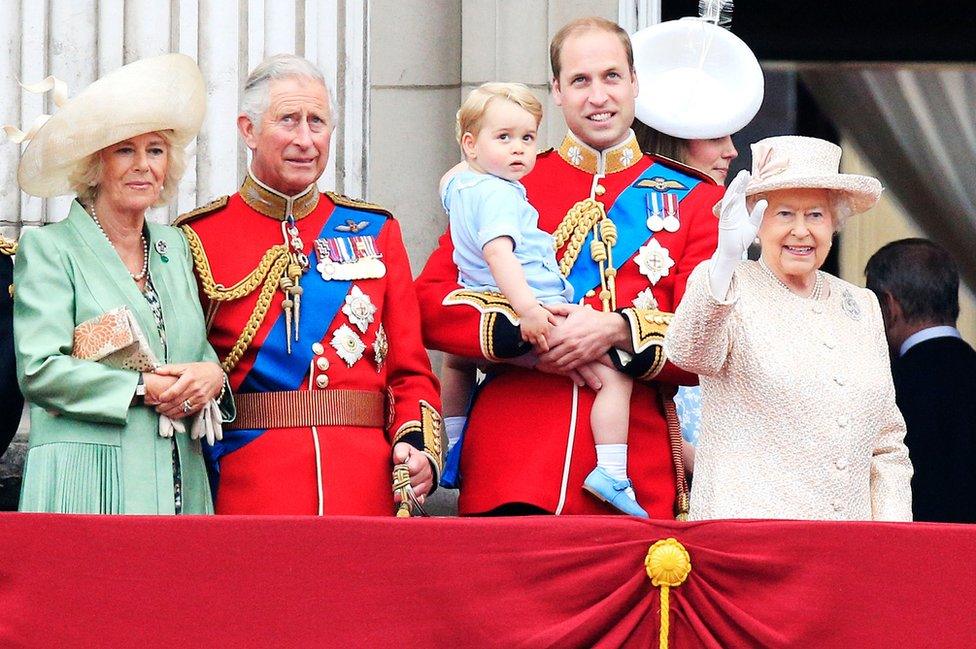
272	267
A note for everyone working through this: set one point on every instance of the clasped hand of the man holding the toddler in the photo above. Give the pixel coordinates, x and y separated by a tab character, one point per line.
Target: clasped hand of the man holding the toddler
585	335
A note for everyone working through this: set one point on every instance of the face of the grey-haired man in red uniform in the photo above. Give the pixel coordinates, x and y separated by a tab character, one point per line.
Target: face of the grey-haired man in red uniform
291	144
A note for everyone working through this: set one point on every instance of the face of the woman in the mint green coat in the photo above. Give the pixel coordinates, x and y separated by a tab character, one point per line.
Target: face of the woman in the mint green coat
132	173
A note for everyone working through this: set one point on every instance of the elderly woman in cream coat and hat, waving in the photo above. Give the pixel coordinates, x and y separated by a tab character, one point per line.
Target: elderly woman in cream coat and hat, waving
798	408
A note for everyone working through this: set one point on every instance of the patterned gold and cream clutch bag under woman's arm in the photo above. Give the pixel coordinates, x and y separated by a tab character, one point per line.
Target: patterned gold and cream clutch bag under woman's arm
115	339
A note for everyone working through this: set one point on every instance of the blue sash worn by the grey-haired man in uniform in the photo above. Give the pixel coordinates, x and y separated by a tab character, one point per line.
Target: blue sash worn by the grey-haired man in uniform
274	368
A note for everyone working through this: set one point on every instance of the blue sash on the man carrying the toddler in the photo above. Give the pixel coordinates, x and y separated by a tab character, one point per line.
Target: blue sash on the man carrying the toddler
629	214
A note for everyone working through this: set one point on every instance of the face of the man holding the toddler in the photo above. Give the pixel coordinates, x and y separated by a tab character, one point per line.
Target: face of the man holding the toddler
596	88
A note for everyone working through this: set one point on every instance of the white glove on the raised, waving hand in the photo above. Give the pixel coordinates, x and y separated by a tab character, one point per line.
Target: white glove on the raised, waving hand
737	228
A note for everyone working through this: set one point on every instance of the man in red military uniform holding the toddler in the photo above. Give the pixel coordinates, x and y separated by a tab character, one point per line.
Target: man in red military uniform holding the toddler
629	228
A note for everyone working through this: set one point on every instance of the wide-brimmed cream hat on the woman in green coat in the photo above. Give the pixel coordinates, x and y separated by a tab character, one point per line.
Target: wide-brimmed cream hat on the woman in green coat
162	93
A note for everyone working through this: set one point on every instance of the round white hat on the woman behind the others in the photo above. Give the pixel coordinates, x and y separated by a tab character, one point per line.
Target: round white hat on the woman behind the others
697	81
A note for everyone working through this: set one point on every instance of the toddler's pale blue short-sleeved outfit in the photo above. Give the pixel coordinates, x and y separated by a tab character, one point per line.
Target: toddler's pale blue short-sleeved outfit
483	207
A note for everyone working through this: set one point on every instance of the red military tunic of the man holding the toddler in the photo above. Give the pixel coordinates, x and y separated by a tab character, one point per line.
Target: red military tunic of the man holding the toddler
528	438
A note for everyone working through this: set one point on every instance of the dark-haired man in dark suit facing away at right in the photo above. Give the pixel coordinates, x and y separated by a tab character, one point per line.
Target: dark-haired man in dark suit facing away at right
934	372
